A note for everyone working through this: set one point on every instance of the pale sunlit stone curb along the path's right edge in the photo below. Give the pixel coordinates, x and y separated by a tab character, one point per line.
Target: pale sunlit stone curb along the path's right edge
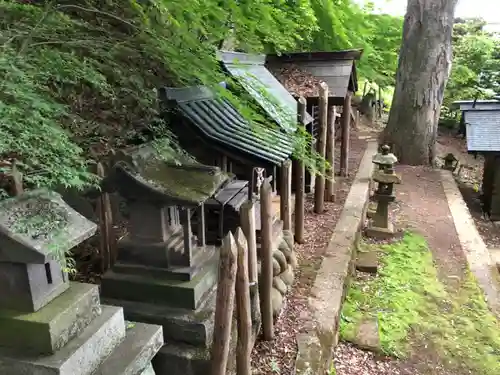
478	257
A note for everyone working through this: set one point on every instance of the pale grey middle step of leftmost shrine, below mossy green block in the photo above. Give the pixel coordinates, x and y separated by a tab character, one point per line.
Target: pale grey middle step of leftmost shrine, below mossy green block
81	356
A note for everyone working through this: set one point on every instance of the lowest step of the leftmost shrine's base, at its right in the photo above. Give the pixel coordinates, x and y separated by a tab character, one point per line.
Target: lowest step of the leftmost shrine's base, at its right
135	353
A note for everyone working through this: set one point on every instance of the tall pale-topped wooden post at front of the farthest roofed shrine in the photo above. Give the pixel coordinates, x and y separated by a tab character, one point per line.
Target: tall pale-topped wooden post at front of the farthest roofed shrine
319	188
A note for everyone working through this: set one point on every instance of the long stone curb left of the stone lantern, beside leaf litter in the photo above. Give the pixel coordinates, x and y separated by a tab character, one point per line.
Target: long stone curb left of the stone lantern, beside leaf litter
315	347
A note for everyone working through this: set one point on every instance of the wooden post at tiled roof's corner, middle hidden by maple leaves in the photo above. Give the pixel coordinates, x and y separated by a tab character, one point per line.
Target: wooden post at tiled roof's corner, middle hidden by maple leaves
300	181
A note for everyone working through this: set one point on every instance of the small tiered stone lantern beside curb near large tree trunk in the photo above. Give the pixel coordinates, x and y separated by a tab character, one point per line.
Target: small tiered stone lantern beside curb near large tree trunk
380	226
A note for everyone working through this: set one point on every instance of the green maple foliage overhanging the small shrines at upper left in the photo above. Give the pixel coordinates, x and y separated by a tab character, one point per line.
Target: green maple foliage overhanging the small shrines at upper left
79	78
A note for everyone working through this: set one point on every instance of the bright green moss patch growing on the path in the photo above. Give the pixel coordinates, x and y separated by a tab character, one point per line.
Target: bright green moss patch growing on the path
414	310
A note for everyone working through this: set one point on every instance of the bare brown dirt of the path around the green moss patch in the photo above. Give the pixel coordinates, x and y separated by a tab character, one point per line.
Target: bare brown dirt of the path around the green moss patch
421	206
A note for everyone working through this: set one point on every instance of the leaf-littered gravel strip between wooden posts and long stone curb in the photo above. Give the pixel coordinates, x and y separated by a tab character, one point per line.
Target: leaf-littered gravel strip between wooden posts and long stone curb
278	356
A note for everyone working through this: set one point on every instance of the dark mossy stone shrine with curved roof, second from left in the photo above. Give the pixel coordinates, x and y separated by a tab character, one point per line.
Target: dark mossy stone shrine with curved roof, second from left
164	273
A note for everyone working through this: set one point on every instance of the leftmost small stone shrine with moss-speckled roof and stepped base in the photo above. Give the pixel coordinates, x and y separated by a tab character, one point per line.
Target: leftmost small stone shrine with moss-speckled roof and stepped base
48	325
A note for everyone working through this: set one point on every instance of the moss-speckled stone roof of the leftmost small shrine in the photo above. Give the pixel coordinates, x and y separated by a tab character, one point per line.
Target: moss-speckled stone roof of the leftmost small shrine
38	224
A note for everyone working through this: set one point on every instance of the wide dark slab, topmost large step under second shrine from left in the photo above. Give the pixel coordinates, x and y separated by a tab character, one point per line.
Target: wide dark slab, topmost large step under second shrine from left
156	290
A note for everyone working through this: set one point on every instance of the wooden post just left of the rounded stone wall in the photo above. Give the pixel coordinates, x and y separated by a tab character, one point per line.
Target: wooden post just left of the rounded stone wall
266	255
